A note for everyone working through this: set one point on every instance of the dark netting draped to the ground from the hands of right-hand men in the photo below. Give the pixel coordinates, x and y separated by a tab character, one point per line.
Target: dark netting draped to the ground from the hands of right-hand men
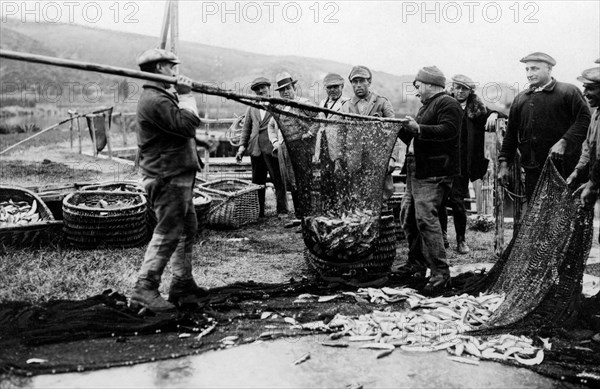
542	268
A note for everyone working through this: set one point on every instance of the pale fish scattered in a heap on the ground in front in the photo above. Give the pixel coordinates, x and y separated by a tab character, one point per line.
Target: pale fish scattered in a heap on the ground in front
429	324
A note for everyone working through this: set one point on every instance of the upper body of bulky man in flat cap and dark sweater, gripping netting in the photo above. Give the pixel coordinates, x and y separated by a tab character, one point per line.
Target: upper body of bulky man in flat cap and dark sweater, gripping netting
548	119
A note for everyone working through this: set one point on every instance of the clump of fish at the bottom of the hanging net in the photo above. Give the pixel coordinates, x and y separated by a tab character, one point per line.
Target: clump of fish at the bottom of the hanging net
342	237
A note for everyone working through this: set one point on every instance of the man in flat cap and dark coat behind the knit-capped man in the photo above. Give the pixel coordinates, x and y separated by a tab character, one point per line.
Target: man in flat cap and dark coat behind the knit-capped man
476	119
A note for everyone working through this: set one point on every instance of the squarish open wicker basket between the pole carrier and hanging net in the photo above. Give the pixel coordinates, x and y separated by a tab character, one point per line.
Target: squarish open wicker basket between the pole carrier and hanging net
234	202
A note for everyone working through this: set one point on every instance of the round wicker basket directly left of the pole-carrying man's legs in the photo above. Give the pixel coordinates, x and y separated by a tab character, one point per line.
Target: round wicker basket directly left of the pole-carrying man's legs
90	227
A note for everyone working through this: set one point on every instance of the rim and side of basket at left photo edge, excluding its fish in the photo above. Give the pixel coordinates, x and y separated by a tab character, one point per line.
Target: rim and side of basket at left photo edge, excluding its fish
28	234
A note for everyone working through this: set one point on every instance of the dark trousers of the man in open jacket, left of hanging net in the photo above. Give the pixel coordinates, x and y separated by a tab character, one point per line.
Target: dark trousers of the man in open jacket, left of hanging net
261	166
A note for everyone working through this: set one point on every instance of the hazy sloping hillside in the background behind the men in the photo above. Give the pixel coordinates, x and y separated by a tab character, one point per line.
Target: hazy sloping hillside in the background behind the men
64	87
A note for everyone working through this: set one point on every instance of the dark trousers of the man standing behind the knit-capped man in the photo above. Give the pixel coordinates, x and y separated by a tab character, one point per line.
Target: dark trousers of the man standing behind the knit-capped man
456	201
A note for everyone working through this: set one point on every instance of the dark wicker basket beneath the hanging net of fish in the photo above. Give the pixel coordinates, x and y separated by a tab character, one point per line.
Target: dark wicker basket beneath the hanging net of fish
374	268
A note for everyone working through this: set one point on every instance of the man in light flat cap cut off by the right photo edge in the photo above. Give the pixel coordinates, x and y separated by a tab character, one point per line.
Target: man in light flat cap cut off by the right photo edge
590	154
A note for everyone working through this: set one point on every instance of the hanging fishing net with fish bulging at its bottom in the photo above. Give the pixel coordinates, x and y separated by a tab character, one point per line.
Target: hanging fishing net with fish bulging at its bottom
339	168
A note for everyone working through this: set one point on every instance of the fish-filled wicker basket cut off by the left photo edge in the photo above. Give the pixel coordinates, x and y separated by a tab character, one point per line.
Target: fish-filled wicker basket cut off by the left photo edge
24	218
